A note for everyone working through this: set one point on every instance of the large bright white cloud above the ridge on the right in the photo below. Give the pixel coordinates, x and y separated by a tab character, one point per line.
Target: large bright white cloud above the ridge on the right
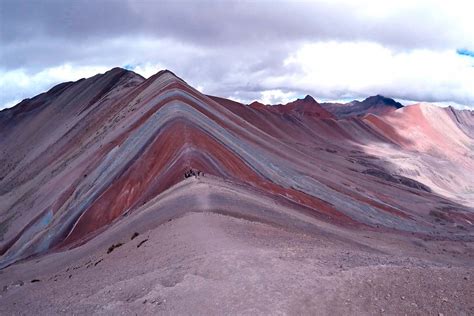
337	70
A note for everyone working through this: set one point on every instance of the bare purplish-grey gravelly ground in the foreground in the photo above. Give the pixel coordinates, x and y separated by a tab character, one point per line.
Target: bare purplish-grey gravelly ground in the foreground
205	263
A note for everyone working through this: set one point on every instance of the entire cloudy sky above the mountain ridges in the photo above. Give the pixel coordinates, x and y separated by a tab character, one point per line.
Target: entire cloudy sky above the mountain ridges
272	51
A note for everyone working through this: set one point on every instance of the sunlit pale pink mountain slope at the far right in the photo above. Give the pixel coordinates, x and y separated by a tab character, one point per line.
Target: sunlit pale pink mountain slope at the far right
436	151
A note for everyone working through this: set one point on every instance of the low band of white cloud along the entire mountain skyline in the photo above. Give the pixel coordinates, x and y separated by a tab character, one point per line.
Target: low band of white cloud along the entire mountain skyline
326	70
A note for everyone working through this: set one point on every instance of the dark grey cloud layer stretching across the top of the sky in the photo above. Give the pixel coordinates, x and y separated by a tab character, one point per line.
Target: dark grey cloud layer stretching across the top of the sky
30	28
